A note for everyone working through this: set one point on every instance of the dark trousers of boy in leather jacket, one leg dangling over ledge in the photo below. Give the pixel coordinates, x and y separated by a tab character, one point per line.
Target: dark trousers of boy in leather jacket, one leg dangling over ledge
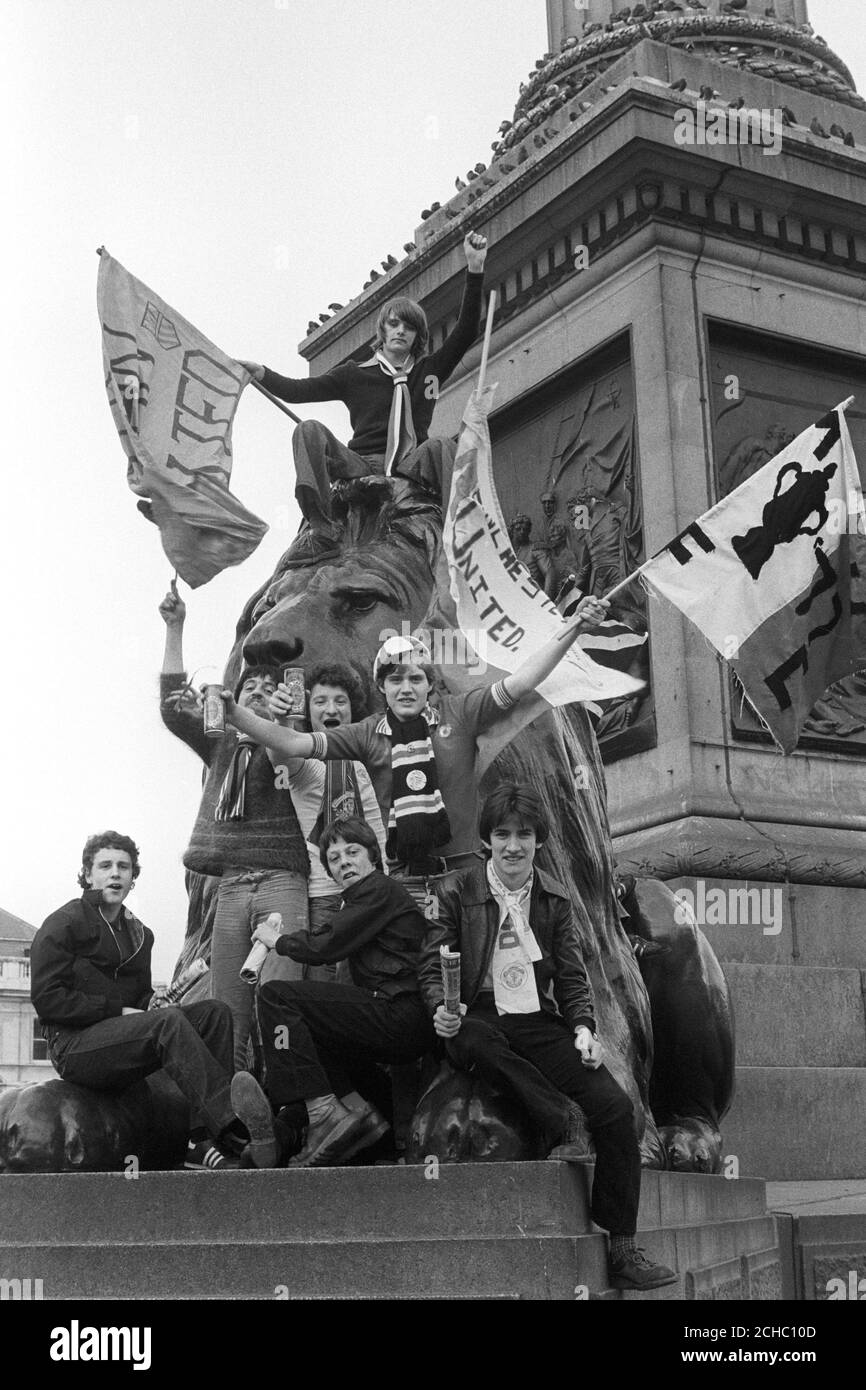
533	1058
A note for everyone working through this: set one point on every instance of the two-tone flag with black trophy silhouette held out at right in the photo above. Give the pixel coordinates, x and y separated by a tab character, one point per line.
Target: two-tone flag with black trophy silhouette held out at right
775	576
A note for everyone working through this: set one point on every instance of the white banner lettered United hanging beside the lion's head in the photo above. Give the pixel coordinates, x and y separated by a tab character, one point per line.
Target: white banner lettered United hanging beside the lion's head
501	611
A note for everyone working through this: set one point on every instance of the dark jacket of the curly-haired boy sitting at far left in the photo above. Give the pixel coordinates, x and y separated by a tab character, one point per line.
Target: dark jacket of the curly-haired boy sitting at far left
77	974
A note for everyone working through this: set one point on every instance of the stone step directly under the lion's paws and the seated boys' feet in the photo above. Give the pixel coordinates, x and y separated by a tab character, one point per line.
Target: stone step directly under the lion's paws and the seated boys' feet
491	1200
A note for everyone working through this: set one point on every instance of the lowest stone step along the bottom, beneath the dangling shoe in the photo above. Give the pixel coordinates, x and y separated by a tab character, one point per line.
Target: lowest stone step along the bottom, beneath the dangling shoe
559	1268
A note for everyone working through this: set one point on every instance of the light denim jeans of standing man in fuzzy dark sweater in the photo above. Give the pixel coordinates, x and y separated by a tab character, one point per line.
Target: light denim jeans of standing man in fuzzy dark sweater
244	900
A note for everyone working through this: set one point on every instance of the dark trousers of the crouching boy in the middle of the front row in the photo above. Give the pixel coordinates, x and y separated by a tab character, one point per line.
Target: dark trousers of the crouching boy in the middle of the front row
316	1039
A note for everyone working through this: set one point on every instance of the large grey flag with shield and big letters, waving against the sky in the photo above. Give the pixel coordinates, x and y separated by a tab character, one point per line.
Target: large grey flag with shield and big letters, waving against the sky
174	397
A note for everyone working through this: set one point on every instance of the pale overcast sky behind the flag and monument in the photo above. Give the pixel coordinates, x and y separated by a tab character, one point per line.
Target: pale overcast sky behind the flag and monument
251	161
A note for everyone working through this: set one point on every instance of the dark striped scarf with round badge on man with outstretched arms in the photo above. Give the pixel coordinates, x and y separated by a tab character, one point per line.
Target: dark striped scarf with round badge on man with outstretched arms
418	821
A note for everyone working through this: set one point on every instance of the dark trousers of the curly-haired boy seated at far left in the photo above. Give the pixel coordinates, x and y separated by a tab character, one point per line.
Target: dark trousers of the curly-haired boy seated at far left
193	1043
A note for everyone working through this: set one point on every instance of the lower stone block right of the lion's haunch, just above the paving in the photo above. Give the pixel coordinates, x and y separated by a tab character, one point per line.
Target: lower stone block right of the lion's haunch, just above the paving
799	1122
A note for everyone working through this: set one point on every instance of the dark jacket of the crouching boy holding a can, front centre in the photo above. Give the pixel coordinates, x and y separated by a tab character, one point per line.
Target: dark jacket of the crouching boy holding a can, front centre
379	929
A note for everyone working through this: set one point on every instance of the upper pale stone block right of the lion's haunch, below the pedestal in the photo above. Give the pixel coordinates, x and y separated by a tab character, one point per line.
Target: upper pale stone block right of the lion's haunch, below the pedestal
781	1010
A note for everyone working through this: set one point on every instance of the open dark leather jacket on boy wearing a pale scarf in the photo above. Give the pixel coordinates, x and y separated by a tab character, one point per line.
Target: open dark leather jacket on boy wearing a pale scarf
469	918
